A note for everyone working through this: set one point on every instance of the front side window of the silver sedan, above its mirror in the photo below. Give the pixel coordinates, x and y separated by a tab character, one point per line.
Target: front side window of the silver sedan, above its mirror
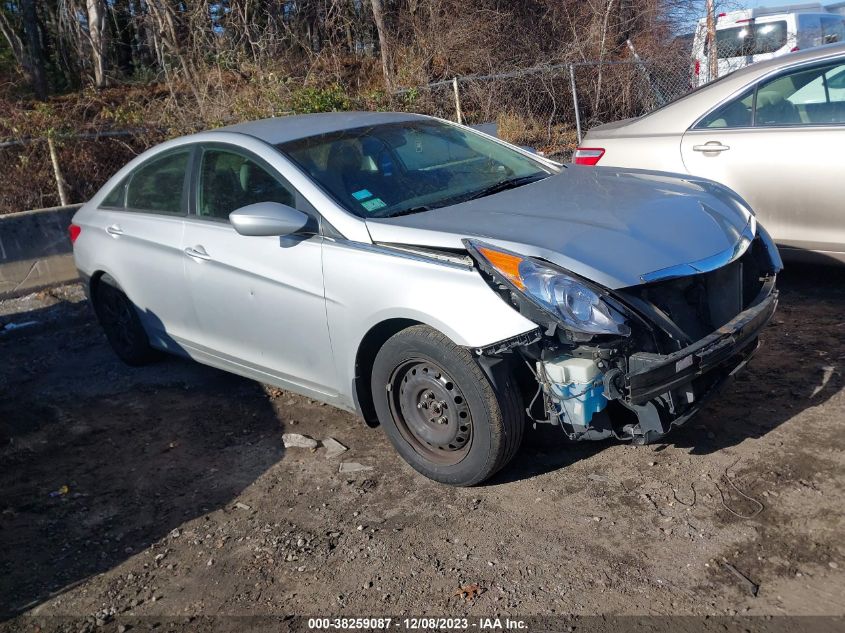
229	180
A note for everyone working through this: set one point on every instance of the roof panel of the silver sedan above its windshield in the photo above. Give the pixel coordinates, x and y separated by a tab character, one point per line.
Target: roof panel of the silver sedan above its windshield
294	127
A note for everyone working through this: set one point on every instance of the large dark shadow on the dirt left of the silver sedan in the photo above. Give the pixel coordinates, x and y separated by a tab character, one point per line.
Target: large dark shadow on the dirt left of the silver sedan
101	460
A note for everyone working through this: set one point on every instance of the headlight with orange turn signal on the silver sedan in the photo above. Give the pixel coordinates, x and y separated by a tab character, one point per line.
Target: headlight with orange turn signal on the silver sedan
570	301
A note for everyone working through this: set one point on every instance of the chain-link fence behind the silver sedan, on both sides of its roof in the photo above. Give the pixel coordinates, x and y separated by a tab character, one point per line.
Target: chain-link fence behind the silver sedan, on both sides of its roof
545	107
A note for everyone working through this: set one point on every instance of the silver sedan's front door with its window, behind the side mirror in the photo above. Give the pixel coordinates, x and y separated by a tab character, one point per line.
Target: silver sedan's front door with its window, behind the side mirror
259	301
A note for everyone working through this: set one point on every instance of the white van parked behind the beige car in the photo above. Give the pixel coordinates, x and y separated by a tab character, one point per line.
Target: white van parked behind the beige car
753	35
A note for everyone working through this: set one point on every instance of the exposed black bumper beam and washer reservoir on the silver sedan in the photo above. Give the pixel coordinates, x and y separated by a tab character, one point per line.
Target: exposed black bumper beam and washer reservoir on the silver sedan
601	391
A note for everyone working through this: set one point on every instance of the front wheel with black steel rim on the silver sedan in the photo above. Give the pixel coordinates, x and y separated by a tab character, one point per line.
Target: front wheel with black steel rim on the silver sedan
441	412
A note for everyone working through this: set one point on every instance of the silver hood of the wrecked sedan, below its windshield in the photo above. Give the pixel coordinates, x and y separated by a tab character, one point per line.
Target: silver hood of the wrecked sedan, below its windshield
608	225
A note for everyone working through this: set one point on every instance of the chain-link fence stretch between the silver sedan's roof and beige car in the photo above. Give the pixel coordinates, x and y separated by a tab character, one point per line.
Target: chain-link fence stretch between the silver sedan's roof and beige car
550	107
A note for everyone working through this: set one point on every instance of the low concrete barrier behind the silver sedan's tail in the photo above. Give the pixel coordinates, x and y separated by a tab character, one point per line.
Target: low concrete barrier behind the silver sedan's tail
35	250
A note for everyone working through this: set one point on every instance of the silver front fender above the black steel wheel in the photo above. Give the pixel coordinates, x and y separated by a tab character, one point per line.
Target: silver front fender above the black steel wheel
369	284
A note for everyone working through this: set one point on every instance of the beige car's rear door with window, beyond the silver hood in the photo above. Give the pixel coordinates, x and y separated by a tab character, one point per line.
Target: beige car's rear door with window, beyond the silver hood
779	146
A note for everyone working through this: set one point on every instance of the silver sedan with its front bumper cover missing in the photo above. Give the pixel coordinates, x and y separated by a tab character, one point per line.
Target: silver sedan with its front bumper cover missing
443	284
